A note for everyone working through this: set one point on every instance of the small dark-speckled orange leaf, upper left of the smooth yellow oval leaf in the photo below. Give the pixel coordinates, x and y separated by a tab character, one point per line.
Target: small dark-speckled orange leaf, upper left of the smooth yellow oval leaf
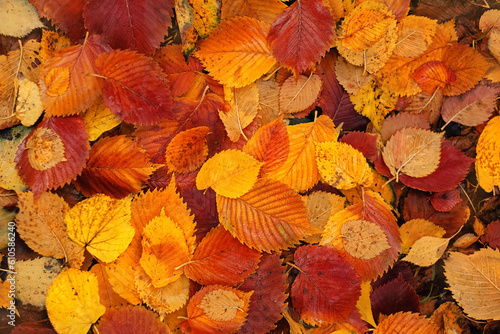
188	150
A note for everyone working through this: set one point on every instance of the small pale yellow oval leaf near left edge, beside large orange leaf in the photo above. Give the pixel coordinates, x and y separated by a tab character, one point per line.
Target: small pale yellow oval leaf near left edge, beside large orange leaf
29	105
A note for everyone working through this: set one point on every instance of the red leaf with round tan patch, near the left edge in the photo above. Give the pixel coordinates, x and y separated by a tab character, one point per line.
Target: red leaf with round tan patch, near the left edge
39	158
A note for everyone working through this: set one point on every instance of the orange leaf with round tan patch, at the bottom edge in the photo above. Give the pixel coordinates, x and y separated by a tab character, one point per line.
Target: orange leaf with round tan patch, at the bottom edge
217	308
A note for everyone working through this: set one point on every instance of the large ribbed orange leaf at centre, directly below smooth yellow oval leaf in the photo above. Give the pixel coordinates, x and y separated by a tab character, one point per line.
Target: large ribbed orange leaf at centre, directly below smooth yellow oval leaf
270	217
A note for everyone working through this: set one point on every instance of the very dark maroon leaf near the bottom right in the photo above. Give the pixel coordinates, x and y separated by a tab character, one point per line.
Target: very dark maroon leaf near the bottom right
394	296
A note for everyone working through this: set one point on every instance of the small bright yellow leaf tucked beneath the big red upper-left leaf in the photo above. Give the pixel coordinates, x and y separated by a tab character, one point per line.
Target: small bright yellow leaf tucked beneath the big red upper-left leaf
99	119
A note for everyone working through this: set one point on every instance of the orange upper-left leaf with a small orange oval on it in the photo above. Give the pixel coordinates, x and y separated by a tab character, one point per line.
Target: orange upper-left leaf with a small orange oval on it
66	84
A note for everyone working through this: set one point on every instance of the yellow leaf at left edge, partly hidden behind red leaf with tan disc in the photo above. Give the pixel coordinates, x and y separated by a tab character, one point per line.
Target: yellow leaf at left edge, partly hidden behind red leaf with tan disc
9	177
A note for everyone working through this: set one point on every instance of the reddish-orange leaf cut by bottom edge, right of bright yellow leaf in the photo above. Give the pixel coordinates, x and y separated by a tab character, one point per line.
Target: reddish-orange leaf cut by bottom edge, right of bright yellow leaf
131	319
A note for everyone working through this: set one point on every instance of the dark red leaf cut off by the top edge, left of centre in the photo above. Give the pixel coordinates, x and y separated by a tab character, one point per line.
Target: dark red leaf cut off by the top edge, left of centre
137	25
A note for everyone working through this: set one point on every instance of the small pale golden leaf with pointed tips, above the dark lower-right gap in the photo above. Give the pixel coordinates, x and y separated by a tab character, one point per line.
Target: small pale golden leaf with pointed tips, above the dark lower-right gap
427	250
